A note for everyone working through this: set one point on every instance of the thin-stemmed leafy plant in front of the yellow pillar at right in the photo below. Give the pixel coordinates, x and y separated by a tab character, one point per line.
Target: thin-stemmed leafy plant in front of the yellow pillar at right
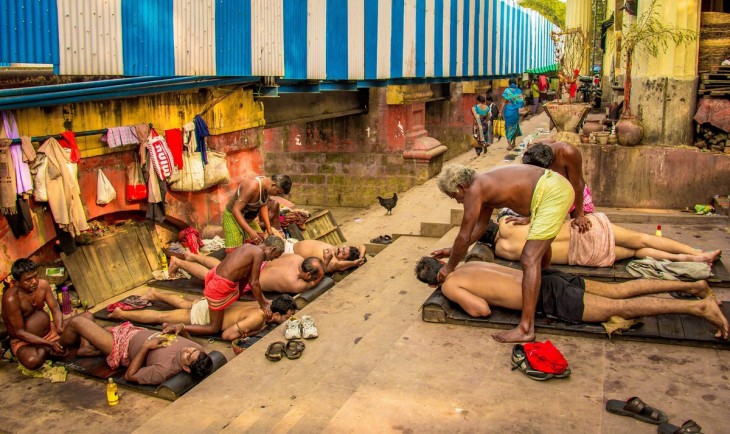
648	34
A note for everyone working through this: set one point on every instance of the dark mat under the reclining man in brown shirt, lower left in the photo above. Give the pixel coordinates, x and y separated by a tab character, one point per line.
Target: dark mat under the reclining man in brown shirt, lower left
173	388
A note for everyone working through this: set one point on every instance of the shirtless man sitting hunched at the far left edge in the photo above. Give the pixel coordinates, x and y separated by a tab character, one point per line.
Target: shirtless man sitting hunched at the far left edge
33	335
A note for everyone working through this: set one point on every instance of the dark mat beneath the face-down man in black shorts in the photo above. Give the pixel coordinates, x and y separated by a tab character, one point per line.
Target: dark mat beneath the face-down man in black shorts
673	329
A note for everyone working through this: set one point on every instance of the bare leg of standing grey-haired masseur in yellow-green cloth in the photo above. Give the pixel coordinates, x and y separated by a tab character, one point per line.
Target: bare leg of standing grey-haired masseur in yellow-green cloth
532	256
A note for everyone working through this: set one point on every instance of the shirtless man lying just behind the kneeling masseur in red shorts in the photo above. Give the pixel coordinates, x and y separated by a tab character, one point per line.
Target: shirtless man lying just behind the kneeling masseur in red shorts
290	273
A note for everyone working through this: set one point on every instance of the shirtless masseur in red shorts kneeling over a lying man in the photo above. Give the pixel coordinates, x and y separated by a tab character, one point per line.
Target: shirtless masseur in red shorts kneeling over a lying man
223	279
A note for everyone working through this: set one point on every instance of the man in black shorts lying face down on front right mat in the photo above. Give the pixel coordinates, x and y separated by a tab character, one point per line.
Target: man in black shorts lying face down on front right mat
477	285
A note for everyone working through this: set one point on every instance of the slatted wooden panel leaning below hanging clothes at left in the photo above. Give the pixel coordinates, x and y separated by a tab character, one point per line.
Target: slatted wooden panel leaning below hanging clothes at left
113	264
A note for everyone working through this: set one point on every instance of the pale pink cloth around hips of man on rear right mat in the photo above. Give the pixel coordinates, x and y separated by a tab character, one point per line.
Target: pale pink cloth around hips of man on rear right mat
594	248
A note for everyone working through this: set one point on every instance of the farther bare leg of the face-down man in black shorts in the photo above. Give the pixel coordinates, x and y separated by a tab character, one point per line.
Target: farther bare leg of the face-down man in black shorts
637	287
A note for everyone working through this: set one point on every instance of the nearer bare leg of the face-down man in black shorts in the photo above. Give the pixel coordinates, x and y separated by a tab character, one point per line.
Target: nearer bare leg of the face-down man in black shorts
599	309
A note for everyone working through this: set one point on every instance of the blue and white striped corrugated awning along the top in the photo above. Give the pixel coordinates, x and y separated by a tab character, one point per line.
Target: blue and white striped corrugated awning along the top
292	39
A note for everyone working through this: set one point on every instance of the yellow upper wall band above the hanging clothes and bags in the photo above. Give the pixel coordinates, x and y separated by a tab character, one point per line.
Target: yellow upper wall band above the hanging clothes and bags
237	111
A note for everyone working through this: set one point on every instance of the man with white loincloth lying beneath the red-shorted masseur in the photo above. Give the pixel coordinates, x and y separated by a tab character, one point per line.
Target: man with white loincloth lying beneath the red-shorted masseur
239	319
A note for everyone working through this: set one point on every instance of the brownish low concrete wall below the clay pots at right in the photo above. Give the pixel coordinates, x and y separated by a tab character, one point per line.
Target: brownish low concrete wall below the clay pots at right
653	176
